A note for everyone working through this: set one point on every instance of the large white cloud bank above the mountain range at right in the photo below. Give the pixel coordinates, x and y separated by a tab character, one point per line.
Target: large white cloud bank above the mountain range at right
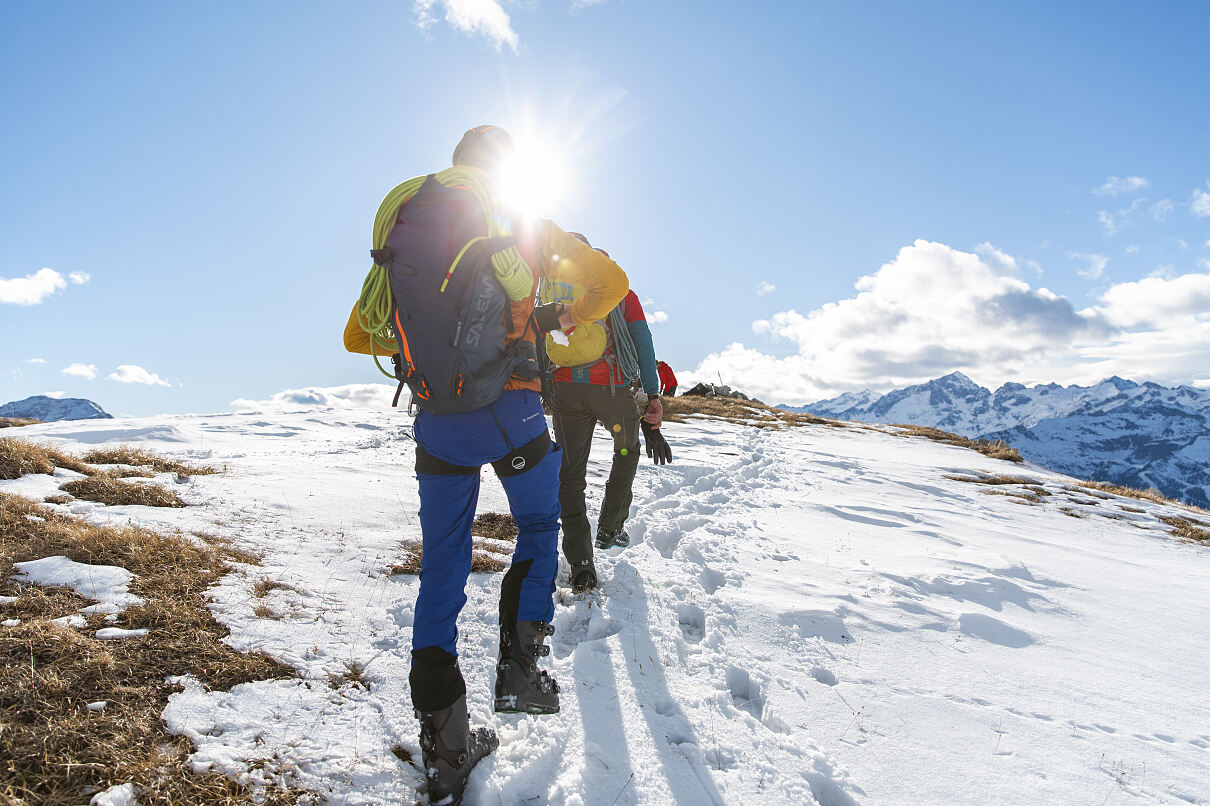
935	309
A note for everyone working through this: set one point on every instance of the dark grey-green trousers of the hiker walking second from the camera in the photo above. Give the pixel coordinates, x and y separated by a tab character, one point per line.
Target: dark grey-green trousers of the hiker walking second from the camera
578	408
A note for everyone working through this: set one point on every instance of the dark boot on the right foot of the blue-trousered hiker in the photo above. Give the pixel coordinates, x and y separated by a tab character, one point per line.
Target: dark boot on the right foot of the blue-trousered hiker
521	687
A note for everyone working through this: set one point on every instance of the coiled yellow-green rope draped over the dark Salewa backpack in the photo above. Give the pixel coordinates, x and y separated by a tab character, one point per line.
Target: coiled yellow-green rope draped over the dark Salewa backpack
376	304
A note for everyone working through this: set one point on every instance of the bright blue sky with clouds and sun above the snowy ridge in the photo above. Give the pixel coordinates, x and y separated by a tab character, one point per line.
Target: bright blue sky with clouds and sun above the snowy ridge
819	198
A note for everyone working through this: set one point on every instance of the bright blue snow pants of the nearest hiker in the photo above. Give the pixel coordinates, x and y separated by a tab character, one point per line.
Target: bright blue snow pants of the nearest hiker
447	511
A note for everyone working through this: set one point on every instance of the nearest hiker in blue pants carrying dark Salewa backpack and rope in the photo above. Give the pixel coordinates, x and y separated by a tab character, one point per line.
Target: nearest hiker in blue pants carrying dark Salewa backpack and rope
452	295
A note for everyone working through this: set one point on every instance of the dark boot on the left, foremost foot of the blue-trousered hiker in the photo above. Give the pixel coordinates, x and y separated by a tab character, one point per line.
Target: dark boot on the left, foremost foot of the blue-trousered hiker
451	751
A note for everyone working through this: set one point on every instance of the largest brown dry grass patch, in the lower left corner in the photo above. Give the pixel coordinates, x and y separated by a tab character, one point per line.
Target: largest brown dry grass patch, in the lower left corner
55	750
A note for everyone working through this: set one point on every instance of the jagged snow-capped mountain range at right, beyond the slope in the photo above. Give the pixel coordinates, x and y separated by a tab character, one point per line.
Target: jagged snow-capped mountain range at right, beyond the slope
1139	435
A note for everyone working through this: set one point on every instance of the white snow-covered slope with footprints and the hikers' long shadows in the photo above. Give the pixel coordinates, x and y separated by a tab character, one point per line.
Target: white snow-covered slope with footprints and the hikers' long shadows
808	617
